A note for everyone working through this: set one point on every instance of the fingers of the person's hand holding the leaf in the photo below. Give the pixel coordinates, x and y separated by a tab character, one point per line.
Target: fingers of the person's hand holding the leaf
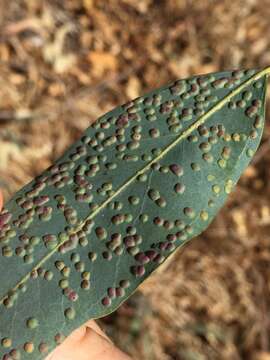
88	342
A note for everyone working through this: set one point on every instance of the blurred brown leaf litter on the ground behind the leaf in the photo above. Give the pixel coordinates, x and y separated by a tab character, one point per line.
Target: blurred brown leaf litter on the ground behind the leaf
63	63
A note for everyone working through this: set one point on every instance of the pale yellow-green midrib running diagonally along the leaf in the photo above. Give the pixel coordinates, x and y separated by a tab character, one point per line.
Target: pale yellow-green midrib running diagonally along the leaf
201	120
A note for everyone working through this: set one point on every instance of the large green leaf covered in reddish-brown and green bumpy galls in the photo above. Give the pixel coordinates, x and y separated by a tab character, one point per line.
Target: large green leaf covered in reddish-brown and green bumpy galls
142	181
